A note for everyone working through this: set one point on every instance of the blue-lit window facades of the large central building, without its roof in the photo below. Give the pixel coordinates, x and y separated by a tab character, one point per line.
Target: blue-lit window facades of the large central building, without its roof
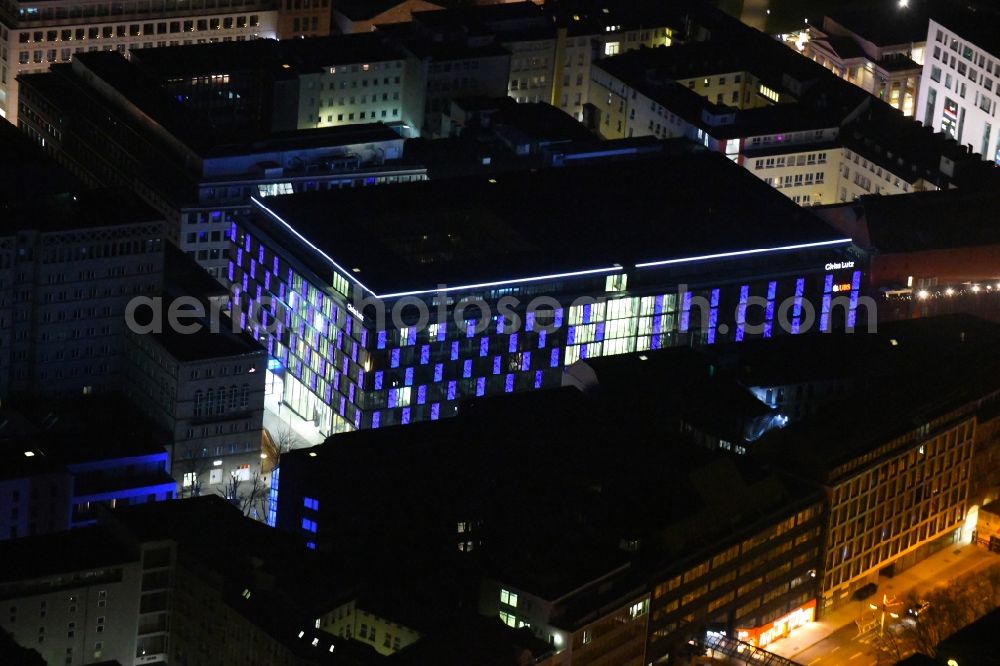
343	373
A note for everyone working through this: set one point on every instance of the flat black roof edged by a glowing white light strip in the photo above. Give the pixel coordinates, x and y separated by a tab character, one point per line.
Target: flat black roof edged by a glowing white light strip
416	236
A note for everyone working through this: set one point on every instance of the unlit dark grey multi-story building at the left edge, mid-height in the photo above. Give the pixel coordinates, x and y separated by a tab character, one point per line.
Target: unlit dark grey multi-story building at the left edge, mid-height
71	263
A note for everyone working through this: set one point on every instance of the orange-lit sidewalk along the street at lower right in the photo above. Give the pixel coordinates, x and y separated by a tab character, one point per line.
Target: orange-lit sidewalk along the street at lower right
937	569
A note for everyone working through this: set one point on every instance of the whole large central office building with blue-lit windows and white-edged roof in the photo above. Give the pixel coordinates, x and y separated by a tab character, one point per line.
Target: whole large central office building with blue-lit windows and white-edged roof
602	259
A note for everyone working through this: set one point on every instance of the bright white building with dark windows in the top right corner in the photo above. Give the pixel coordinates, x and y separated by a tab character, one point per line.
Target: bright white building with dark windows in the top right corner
960	84
